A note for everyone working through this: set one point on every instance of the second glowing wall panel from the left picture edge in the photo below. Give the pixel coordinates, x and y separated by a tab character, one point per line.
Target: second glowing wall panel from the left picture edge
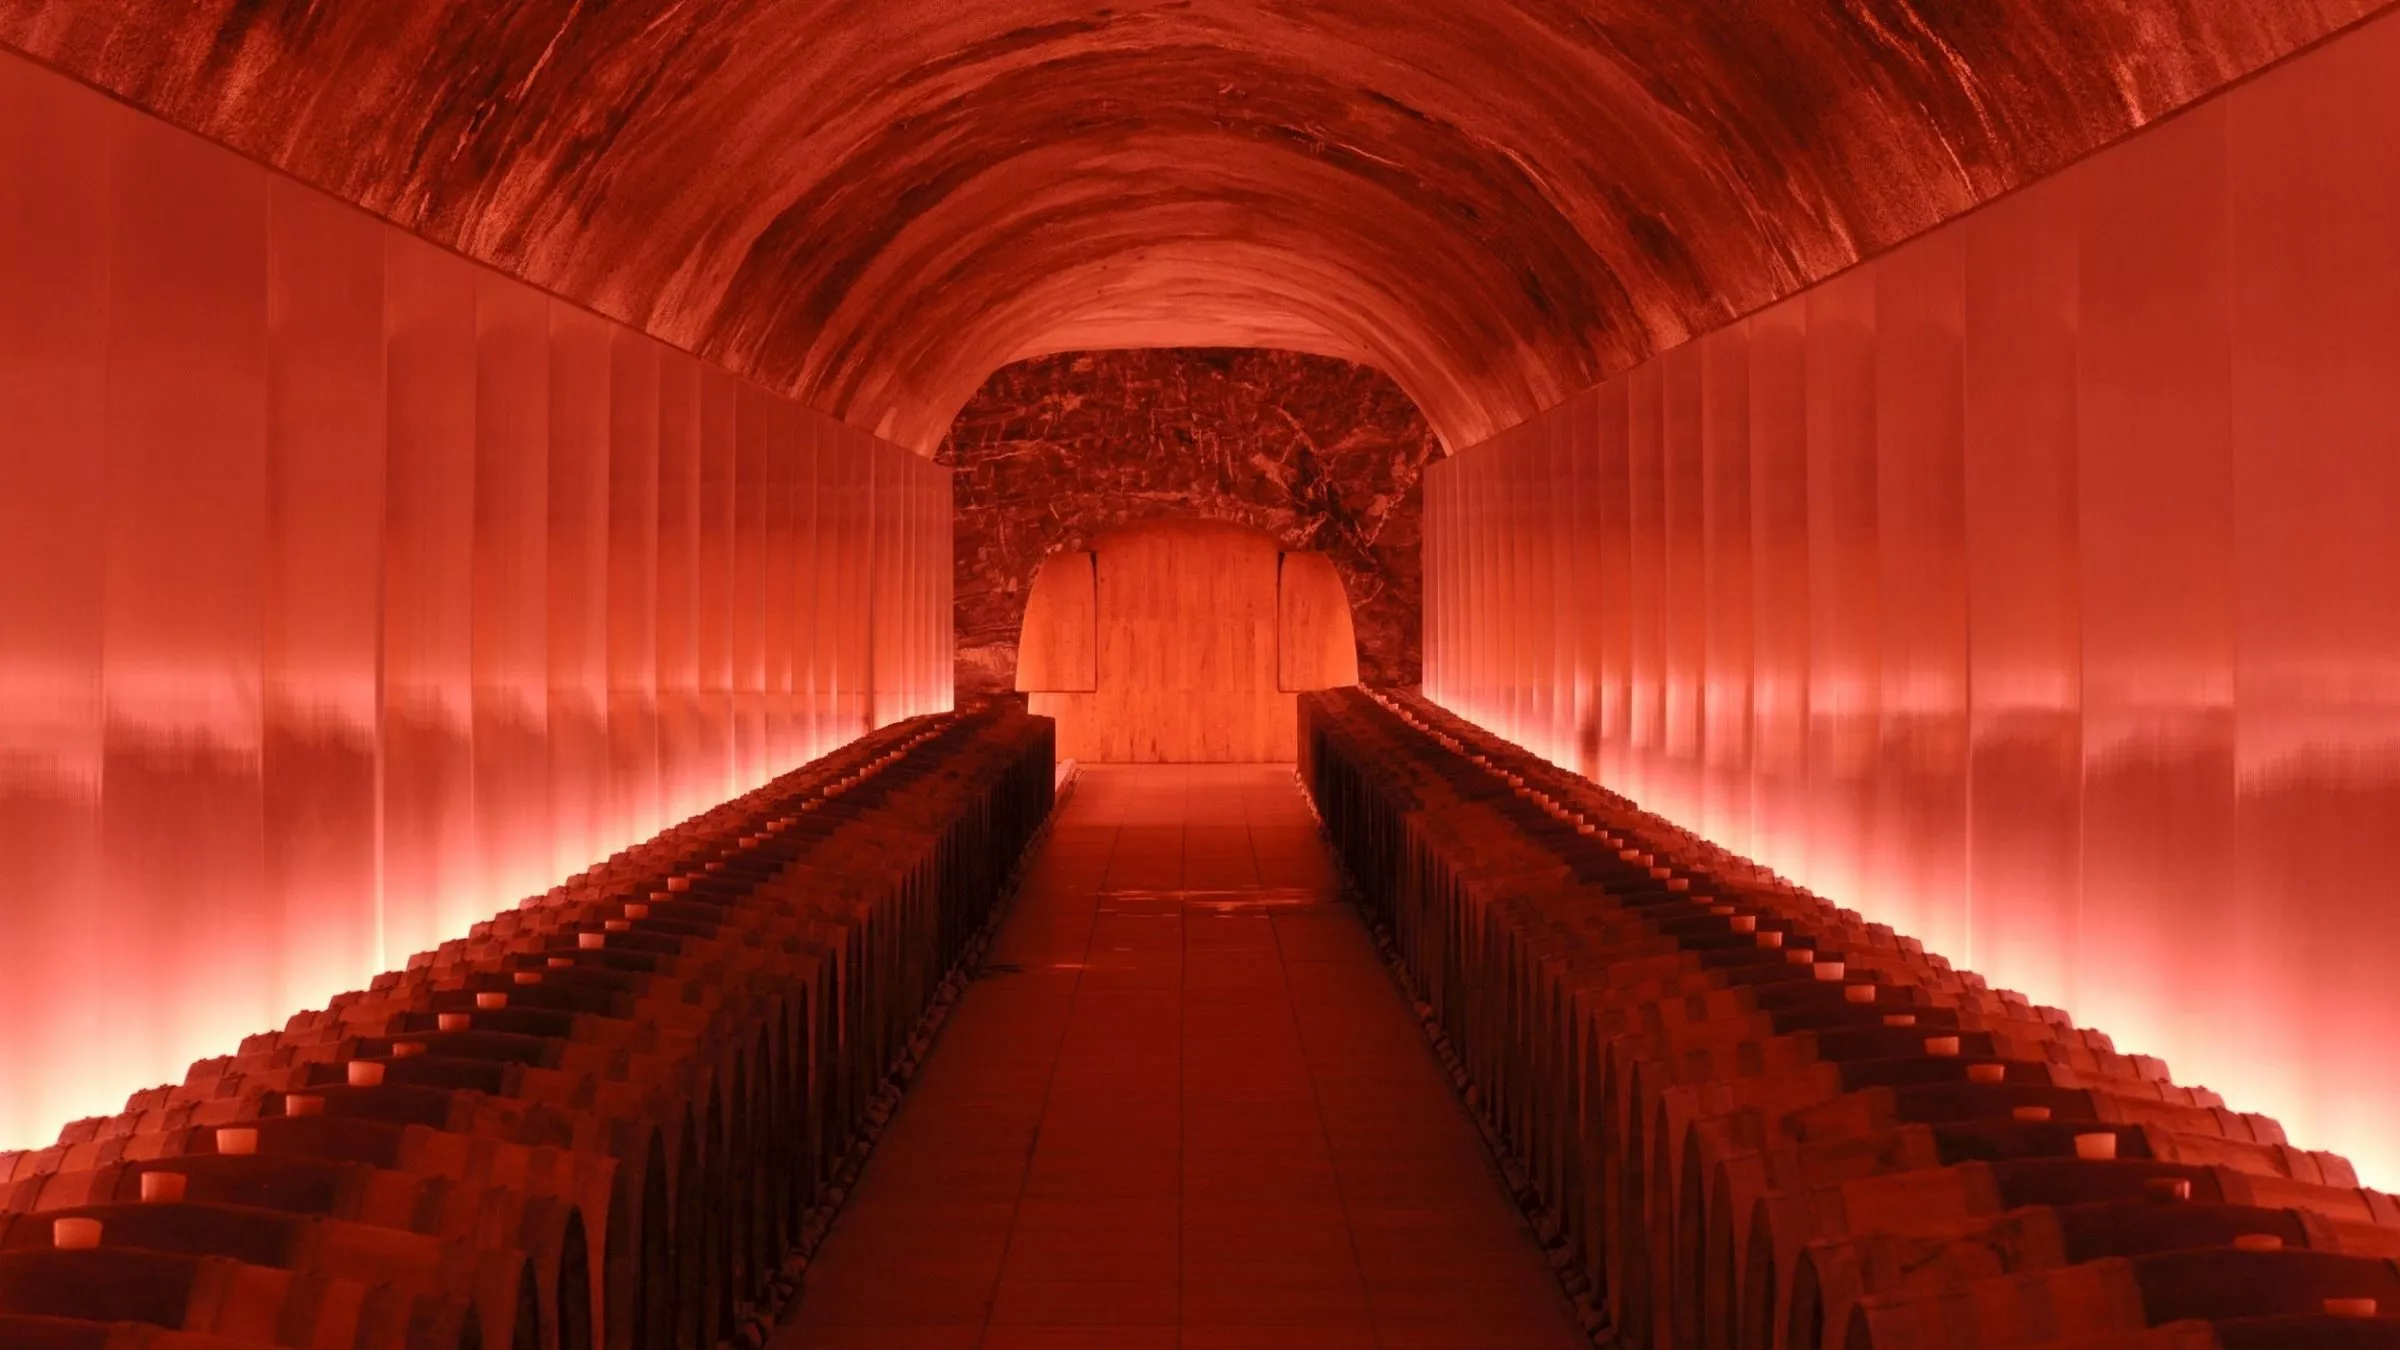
184	568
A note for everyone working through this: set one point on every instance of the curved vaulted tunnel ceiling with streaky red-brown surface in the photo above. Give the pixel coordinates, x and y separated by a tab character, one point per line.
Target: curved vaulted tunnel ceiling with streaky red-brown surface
875	205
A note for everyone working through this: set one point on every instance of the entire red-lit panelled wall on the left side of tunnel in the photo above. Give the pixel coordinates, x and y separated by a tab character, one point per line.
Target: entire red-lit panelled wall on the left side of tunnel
352	592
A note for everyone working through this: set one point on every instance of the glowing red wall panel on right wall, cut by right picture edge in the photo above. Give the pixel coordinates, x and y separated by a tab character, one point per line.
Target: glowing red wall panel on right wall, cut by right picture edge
2317	592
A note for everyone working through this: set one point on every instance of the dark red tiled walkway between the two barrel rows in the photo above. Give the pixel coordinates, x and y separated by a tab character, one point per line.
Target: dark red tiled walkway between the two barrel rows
1187	1109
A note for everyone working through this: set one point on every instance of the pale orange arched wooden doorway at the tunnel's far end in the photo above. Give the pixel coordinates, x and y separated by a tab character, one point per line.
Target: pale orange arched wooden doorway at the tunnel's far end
1184	643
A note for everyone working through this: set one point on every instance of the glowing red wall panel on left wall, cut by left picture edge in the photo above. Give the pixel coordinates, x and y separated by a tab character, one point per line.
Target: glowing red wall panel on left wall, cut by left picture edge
54	378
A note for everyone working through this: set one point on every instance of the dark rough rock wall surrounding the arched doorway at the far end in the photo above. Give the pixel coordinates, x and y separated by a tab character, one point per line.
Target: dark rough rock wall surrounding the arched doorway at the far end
1319	453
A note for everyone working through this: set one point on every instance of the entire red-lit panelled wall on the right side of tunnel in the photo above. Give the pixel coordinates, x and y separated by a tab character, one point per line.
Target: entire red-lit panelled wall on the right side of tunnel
2034	587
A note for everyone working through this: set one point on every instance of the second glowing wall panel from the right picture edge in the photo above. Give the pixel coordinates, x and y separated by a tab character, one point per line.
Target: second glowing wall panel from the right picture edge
2159	558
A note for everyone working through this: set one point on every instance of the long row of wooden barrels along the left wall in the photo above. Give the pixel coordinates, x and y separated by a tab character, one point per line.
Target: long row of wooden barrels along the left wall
611	1118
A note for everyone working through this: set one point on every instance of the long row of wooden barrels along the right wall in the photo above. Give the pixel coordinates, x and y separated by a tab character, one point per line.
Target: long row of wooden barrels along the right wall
1746	1118
